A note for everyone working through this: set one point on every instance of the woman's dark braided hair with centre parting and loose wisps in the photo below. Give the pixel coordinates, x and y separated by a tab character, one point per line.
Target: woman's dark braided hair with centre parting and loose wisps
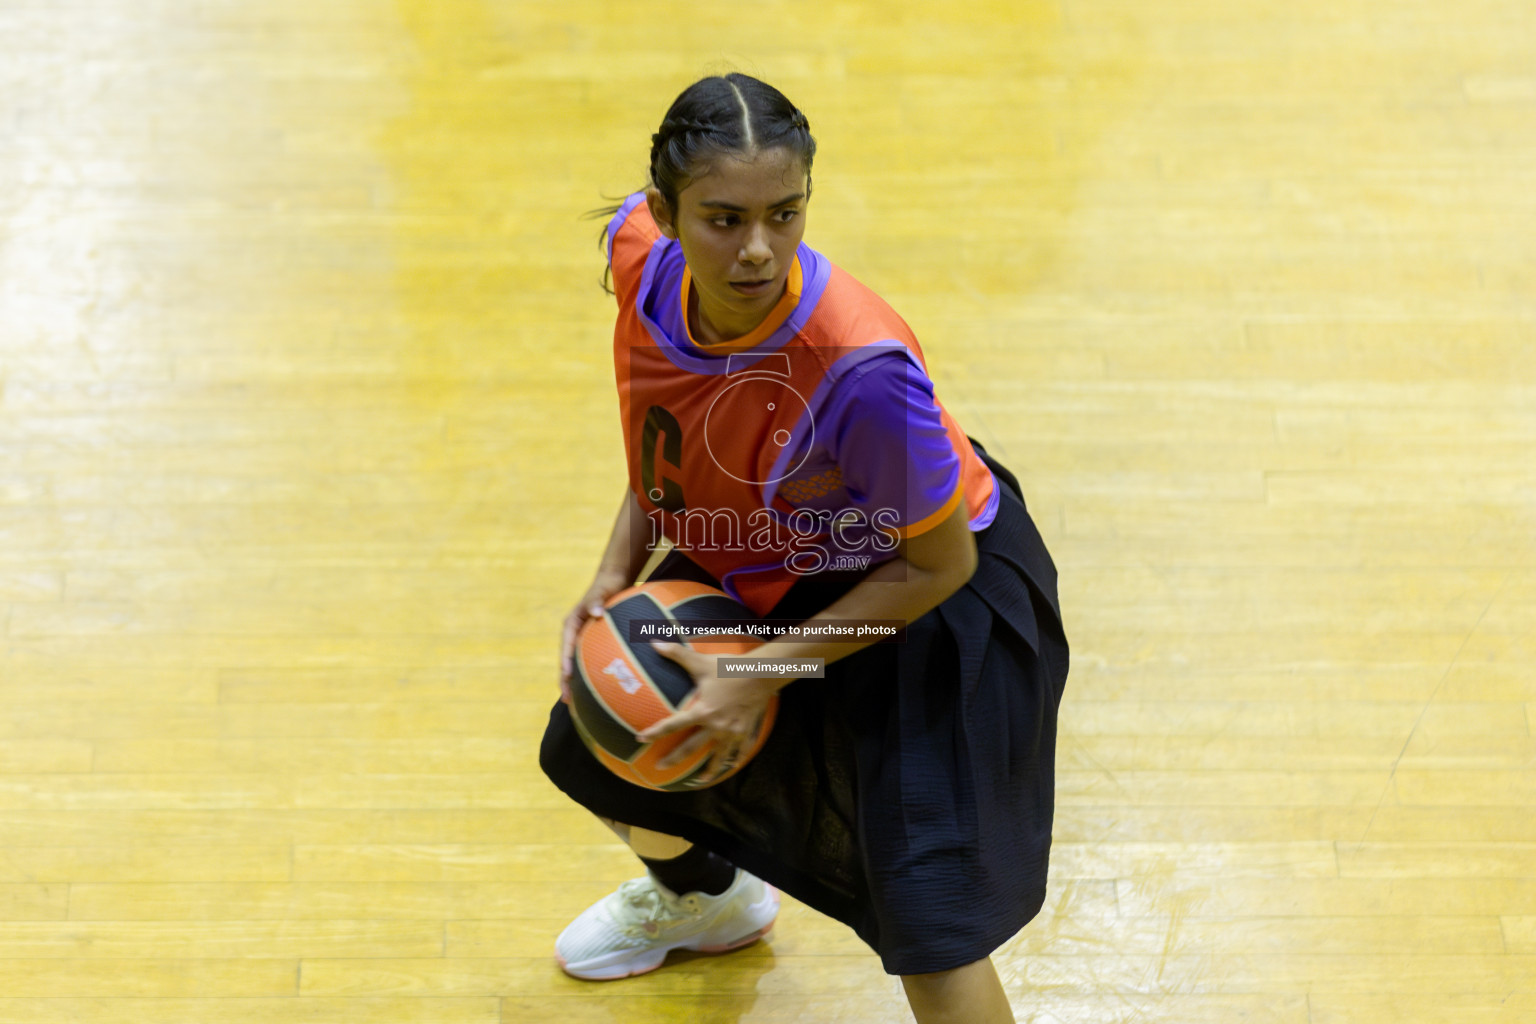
715	117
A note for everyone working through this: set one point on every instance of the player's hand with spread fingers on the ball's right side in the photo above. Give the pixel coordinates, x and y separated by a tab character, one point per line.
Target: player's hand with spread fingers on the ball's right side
724	712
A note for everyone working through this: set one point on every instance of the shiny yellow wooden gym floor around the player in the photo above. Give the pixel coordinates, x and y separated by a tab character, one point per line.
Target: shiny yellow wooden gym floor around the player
308	440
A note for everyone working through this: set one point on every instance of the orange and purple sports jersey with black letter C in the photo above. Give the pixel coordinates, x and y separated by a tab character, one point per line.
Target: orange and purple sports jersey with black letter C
810	444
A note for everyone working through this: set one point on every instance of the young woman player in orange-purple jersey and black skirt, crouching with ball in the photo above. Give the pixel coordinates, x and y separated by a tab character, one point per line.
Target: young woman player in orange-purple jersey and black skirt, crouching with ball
784	434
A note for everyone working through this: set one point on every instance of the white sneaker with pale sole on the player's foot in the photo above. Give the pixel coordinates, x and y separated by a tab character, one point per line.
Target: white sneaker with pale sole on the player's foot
632	931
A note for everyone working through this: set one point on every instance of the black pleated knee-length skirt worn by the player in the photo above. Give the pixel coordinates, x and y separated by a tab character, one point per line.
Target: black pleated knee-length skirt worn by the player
910	793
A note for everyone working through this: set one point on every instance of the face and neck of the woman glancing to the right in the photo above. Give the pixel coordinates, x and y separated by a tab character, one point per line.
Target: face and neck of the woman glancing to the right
740	222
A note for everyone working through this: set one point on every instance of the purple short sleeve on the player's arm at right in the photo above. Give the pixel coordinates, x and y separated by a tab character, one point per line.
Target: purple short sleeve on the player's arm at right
889	440
